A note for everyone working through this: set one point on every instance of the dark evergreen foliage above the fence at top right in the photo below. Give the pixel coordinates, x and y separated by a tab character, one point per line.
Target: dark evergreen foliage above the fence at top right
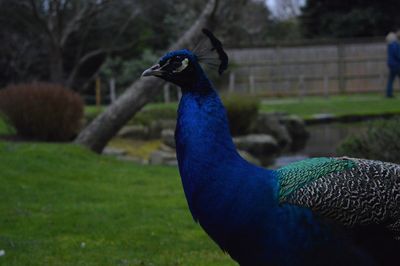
359	18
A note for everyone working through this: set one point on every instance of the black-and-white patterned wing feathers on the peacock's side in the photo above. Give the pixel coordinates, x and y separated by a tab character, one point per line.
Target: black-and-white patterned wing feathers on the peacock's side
365	192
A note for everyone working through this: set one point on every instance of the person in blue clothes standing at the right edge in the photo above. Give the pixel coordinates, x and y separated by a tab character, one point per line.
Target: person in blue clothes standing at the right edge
393	61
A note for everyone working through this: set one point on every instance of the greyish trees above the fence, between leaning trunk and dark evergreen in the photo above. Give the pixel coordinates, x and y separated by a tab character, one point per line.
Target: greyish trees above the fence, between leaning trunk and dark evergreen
251	23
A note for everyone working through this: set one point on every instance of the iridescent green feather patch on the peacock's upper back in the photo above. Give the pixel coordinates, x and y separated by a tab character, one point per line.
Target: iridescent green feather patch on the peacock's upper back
298	174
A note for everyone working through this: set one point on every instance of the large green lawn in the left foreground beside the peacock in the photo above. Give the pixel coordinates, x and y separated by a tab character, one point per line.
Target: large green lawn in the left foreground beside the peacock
63	205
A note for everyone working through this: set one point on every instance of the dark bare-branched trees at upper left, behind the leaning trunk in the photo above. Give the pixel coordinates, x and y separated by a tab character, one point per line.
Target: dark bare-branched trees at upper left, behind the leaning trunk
66	41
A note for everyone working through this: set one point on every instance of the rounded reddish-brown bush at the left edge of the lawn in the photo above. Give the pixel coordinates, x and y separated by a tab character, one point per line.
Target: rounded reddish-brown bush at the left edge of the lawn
42	111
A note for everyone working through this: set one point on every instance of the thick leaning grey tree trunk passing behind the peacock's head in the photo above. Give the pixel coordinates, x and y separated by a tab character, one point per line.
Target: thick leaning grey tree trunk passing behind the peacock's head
97	134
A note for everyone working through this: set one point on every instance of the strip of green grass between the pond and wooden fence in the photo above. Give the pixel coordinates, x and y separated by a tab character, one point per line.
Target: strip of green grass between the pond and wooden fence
336	105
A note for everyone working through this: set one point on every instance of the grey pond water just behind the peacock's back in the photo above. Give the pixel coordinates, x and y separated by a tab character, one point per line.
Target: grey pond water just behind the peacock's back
323	141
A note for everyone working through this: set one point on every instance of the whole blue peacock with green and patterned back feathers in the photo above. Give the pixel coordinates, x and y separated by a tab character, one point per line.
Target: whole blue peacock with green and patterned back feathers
319	211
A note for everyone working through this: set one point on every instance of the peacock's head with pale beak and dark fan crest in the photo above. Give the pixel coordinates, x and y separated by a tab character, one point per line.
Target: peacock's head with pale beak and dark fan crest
183	67
